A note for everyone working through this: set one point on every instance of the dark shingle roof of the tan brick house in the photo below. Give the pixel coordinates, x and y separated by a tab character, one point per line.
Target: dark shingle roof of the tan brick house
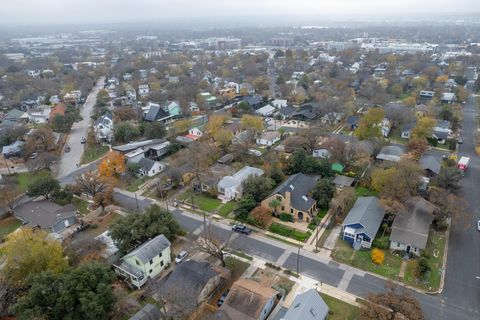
299	185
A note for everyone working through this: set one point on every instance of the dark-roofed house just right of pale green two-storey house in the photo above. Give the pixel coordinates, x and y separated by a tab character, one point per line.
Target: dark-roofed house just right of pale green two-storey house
190	284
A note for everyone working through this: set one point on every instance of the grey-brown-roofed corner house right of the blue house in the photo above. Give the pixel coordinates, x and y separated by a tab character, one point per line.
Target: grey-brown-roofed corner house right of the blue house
410	227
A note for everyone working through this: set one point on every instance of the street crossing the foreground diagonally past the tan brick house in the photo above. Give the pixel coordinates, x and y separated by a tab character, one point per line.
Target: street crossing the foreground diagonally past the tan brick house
313	265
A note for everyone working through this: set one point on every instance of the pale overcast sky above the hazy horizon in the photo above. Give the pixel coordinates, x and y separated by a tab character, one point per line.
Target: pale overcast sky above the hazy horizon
30	12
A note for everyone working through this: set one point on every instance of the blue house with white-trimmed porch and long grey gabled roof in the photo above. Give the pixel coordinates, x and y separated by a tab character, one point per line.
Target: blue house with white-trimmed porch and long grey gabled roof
362	222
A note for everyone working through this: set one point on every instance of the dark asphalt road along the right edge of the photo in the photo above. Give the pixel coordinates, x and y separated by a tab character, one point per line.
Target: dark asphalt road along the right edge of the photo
462	288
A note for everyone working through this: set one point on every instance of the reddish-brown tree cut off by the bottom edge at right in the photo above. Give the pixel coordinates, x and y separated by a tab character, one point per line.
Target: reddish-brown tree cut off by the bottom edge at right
391	305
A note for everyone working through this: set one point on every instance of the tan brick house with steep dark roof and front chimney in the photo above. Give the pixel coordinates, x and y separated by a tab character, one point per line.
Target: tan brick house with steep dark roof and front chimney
293	196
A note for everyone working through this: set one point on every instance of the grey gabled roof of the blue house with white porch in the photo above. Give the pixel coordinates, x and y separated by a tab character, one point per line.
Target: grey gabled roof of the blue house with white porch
367	212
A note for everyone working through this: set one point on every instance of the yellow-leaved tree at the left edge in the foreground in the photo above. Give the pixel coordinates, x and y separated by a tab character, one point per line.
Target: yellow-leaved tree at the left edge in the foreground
28	252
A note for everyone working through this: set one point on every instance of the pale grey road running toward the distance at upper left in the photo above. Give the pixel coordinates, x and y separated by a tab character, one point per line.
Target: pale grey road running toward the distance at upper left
68	162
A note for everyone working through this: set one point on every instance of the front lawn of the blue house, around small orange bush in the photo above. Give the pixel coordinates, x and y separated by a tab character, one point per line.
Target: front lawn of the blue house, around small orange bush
361	259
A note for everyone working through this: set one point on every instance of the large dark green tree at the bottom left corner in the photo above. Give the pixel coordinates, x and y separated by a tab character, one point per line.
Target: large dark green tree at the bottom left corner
84	292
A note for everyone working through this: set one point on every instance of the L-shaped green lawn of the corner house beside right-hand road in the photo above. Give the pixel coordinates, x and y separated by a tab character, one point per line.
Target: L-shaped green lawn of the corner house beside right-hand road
435	244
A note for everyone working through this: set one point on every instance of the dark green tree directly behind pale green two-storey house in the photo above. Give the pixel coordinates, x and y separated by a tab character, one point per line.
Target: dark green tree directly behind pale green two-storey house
131	231
